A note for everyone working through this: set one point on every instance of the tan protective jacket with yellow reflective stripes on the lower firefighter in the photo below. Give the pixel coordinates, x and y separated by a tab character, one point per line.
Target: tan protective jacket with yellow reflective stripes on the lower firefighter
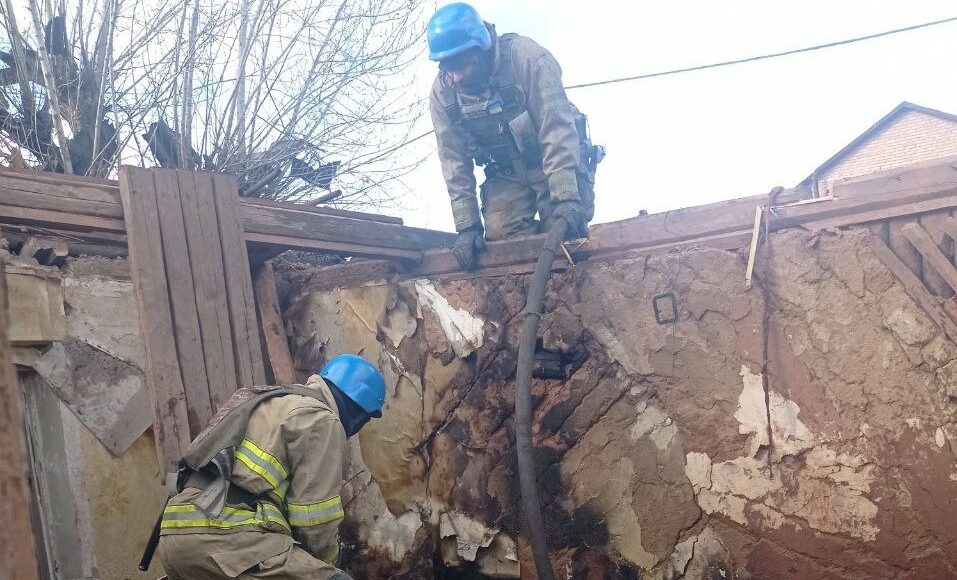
285	478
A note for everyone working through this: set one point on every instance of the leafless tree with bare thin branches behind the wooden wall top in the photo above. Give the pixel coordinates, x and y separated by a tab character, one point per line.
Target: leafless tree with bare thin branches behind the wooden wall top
301	100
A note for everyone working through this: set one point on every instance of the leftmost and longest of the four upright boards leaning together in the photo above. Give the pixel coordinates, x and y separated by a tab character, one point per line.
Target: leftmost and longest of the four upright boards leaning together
171	424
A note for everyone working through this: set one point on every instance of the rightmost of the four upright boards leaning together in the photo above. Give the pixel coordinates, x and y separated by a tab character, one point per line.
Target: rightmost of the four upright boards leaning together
242	305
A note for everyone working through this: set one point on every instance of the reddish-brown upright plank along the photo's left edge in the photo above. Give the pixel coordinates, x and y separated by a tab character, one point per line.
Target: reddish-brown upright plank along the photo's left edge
18	558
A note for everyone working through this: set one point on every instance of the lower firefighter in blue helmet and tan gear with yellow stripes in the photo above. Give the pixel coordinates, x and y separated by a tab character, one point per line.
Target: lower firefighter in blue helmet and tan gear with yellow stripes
257	495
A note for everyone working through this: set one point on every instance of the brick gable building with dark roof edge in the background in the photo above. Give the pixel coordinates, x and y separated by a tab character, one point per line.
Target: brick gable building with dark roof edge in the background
907	135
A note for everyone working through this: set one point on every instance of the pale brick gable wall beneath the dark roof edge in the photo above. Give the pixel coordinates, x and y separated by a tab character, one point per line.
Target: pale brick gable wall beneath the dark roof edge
912	137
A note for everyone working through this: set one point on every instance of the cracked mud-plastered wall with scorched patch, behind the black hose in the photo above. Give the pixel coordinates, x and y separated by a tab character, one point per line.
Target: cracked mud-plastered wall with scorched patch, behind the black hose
800	429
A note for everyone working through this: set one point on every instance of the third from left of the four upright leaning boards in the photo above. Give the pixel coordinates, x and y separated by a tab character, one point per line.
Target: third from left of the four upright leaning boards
205	257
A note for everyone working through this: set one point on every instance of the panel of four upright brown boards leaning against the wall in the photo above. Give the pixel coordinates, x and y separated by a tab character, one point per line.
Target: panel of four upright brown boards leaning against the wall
194	289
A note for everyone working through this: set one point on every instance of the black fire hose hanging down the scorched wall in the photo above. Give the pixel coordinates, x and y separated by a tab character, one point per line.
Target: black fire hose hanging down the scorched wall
523	400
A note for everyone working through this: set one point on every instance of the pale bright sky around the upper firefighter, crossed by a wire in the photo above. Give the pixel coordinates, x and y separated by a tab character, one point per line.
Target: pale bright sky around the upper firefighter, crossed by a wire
706	136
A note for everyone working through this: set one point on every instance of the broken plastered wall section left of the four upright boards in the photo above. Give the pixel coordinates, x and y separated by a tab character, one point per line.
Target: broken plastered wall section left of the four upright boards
96	477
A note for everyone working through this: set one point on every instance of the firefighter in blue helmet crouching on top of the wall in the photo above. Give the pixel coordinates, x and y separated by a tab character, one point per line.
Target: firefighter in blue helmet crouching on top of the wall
498	102
